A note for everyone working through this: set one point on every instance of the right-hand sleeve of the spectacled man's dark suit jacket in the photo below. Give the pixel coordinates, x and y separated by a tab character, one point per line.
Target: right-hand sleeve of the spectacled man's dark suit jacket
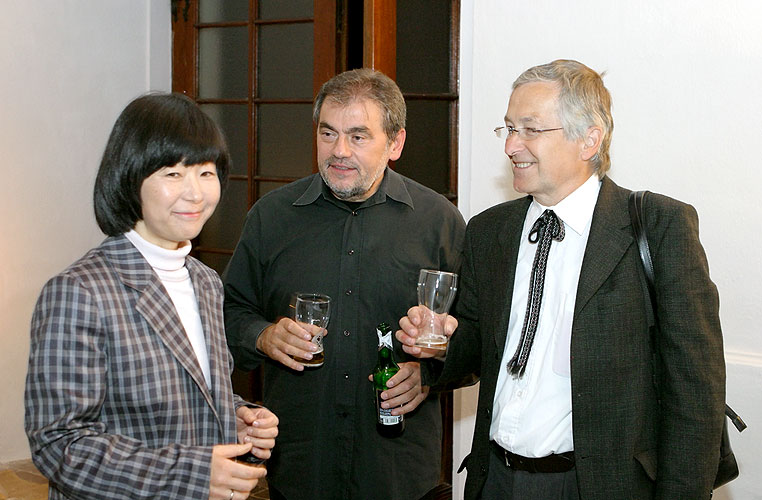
692	369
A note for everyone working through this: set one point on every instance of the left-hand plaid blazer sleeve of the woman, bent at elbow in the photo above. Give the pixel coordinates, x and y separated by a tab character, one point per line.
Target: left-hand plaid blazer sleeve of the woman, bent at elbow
66	386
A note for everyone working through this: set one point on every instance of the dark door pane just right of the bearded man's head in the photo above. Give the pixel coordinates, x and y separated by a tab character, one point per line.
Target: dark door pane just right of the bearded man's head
426	155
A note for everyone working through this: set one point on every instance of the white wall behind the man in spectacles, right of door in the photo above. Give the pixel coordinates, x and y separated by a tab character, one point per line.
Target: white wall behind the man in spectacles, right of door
685	78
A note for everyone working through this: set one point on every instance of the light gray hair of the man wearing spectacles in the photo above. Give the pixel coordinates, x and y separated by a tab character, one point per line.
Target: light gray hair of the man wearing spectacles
583	102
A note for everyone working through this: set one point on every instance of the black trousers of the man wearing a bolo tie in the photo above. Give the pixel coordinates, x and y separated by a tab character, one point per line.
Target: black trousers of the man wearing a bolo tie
504	483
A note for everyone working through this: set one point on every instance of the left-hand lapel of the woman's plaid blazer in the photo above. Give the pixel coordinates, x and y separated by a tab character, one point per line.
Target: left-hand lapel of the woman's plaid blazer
156	307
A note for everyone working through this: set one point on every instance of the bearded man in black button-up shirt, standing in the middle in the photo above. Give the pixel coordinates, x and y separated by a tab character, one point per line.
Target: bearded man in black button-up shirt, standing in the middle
358	232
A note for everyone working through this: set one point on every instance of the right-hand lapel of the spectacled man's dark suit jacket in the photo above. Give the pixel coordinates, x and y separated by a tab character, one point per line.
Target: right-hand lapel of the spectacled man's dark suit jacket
610	236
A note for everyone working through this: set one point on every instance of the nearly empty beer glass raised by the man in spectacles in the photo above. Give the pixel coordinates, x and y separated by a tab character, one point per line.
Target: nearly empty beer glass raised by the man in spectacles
436	291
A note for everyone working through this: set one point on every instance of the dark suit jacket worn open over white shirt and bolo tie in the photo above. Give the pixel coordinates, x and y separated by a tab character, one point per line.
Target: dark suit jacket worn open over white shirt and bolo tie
630	442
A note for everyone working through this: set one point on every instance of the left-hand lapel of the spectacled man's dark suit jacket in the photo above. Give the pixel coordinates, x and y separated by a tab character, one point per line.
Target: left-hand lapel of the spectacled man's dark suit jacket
509	240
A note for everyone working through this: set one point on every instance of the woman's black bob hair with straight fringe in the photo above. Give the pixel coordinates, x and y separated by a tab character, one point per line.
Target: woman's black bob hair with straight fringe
155	130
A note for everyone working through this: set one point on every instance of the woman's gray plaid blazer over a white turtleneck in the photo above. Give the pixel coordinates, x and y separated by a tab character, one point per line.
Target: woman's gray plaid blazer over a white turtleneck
116	403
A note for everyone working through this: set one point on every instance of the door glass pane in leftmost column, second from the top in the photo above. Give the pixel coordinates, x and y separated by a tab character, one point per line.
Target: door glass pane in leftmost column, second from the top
223	63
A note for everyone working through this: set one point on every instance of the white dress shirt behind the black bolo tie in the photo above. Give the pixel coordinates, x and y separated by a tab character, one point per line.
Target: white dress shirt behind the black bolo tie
532	415
